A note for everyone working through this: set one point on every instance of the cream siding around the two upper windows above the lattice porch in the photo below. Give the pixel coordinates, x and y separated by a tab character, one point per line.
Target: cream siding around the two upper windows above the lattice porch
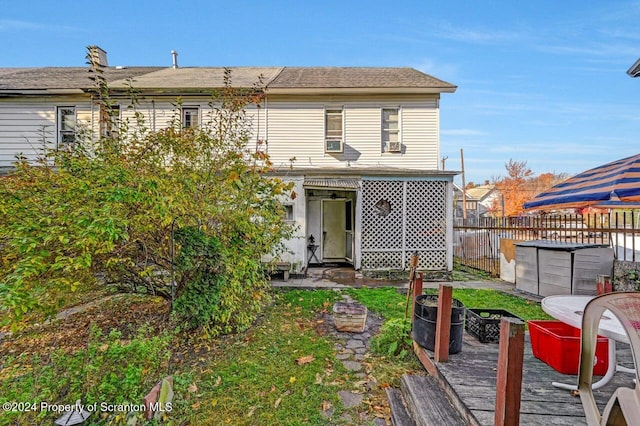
297	130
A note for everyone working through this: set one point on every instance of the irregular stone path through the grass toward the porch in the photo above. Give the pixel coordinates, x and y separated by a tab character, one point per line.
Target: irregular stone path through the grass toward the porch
352	350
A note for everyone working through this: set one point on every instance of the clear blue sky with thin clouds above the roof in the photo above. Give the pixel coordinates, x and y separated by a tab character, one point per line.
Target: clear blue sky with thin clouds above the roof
538	81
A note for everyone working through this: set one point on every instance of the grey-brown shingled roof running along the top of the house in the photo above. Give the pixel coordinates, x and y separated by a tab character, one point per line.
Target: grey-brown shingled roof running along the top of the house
275	79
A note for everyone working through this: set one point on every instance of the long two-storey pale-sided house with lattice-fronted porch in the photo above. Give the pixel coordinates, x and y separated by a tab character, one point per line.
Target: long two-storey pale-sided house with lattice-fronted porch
366	143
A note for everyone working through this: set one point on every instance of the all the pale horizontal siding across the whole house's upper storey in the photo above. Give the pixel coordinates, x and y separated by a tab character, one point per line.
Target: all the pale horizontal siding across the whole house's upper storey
293	128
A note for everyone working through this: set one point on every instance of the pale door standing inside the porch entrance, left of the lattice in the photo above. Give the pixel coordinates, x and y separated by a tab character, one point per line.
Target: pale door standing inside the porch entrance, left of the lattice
334	239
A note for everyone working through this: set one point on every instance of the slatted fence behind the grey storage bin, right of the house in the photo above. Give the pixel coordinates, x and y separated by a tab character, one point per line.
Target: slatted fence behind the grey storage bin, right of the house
478	245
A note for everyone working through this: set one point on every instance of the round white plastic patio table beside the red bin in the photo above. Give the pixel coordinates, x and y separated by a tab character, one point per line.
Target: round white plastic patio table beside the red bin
569	309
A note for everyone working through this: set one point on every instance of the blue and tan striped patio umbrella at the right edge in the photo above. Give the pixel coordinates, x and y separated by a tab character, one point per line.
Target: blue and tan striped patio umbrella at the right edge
612	185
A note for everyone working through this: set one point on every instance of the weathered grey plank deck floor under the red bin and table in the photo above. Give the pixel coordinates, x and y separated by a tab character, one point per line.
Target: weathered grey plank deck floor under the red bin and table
470	377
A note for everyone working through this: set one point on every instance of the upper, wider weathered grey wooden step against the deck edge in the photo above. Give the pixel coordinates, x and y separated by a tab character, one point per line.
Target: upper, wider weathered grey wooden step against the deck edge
427	403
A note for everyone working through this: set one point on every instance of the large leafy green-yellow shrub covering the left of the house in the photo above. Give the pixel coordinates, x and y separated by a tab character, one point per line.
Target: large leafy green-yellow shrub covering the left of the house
139	210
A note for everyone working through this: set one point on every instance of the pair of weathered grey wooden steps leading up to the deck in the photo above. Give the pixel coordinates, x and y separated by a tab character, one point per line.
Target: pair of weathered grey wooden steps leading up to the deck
422	402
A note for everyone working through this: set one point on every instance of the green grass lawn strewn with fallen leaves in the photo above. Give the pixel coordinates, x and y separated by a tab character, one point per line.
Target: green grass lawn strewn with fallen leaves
281	371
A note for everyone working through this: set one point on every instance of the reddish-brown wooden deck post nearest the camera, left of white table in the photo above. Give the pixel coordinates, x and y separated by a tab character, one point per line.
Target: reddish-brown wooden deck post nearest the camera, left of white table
510	365
